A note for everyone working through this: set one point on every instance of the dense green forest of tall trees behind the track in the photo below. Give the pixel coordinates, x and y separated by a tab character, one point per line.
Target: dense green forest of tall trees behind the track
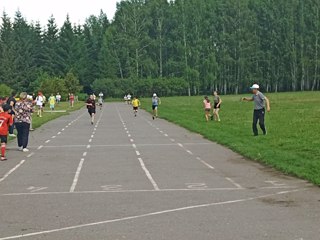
181	47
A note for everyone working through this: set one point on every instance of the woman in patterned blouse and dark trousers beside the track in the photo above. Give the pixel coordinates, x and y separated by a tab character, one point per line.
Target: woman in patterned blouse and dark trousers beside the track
23	120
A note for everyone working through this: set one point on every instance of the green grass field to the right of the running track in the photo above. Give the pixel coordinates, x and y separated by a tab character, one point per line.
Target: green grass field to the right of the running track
291	146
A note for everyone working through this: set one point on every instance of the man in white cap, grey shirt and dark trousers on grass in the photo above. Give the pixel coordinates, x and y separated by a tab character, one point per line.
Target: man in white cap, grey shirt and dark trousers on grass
260	104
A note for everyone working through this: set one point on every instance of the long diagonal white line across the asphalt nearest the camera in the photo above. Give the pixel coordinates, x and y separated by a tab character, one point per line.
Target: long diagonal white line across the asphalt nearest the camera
151	214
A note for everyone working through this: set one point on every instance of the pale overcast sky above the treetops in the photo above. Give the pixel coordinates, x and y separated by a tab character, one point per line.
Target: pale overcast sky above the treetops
41	10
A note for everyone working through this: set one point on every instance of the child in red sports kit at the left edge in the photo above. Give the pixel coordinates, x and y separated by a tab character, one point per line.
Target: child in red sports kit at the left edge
6	120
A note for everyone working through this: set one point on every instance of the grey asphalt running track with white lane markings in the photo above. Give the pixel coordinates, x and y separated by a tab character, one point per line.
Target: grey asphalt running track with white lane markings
134	178
